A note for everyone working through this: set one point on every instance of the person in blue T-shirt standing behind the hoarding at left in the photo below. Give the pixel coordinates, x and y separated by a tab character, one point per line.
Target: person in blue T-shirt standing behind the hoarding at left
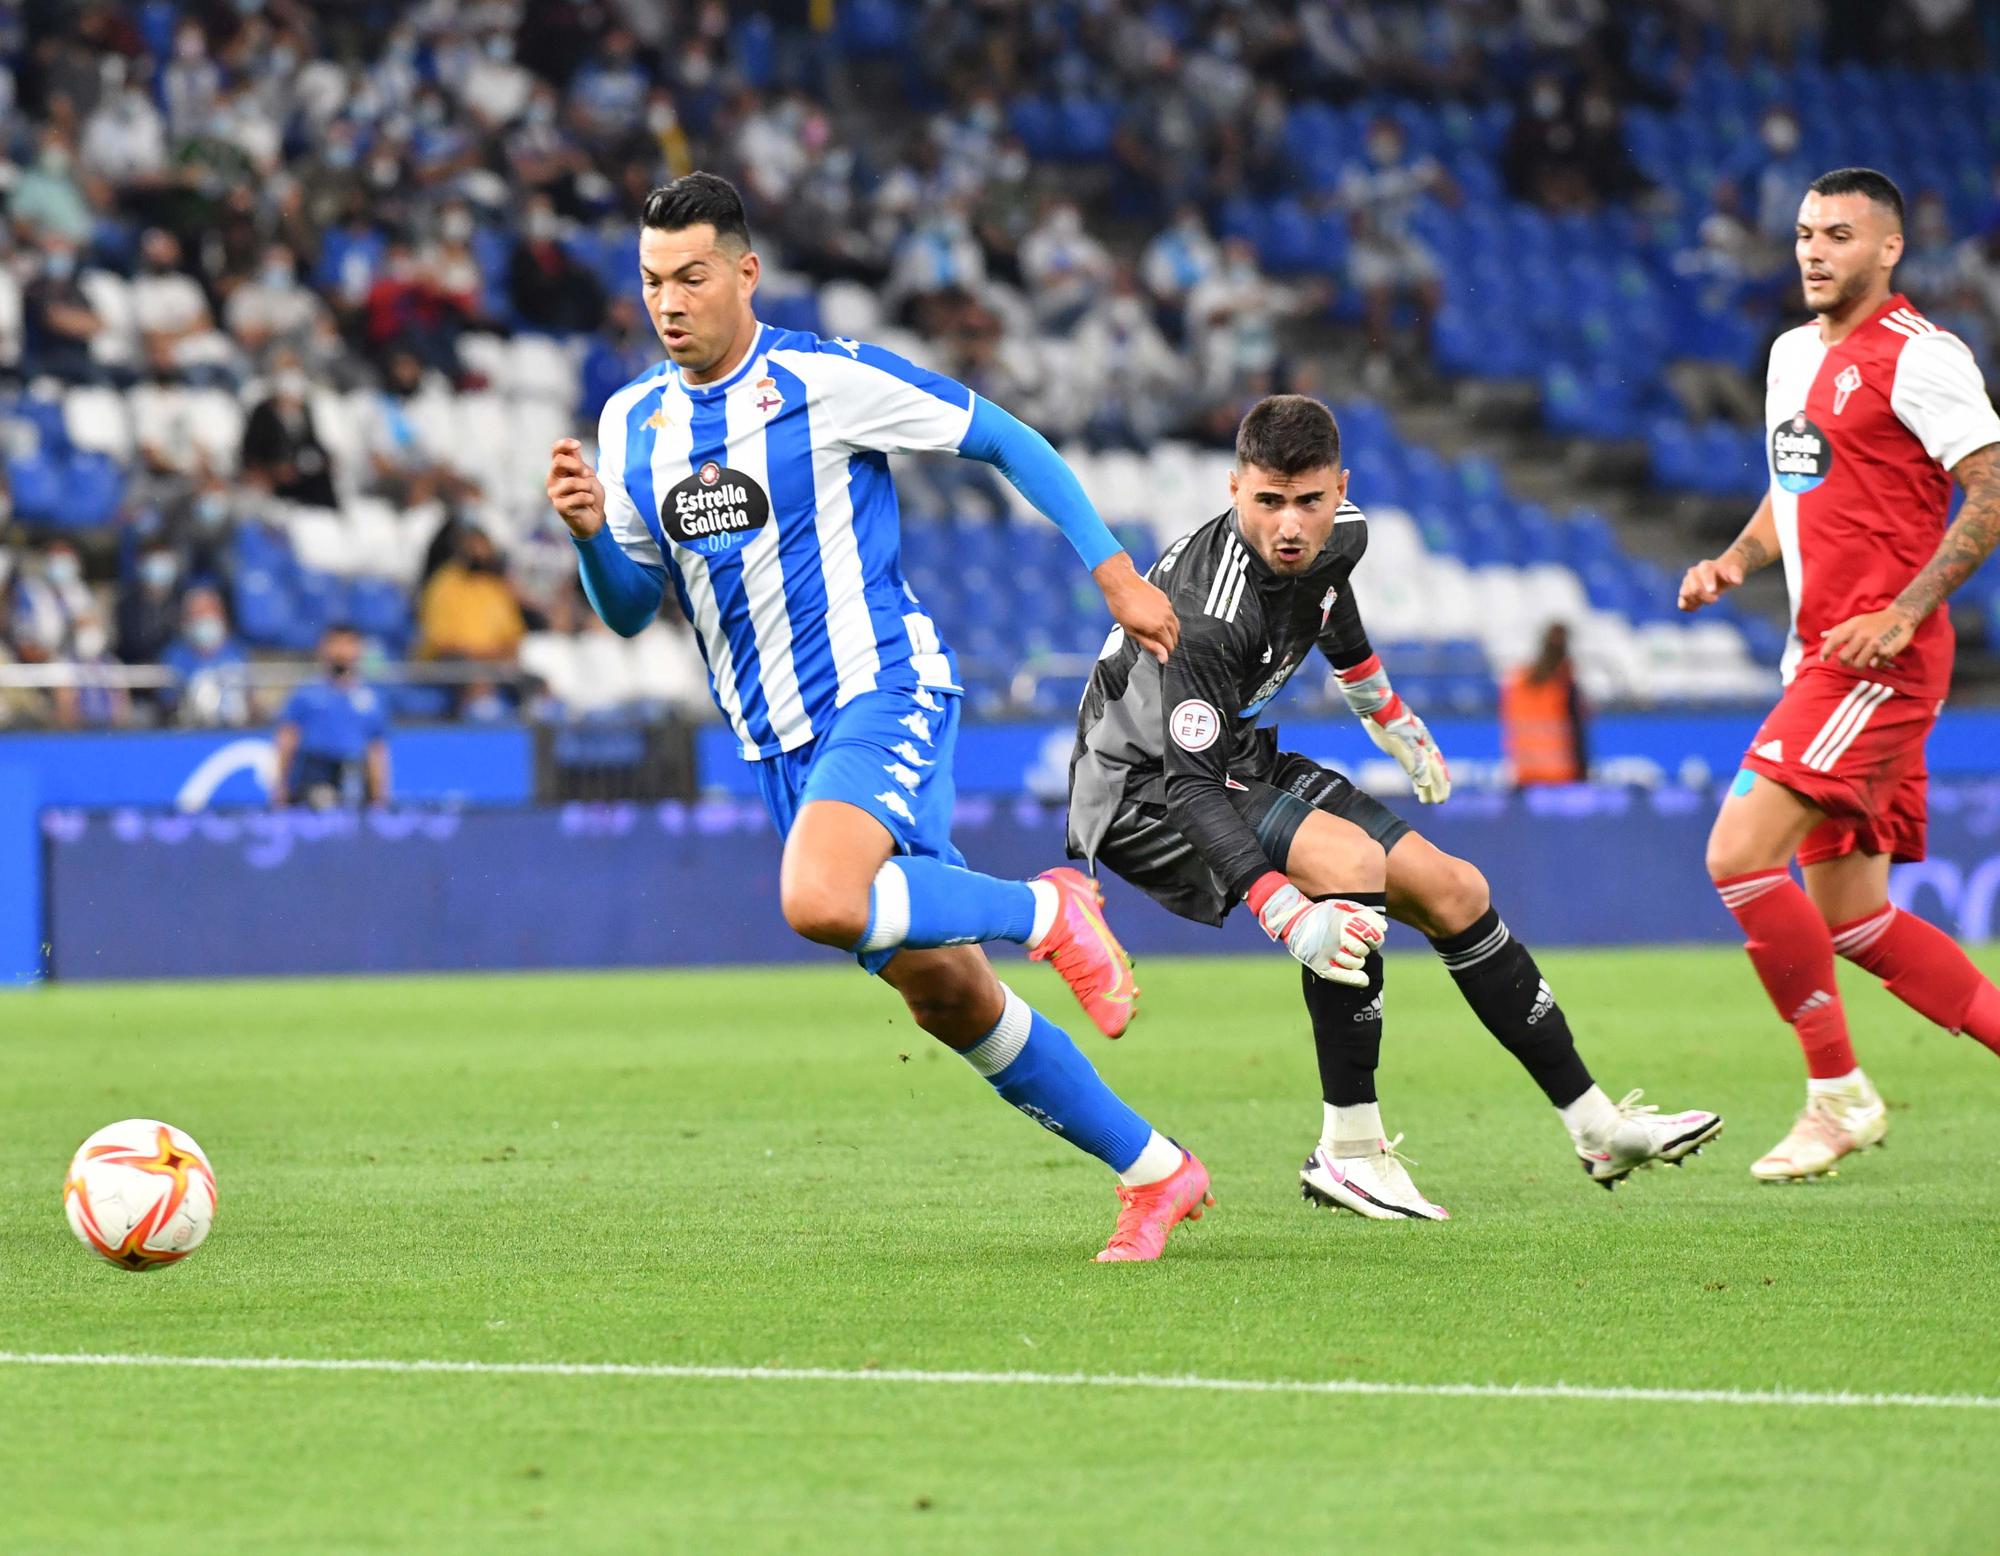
333	735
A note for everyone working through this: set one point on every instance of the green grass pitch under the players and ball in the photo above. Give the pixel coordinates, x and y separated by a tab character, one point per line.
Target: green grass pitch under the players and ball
773	1169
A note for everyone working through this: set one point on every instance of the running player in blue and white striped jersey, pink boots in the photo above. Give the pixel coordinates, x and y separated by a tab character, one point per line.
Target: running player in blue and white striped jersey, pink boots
749	471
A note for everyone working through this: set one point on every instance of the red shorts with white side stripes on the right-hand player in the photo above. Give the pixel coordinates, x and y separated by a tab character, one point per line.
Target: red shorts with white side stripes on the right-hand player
1857	751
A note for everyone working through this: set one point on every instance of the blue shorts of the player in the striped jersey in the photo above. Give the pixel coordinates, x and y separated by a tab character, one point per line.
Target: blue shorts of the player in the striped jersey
887	753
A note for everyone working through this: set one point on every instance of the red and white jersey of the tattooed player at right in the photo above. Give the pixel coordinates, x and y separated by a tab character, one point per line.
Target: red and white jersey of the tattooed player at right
1863	437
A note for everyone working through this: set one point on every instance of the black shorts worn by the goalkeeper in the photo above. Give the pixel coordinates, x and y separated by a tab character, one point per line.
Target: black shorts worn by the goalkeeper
1147	849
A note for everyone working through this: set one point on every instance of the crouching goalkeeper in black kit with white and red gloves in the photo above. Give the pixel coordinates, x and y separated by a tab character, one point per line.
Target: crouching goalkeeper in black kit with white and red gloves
1177	789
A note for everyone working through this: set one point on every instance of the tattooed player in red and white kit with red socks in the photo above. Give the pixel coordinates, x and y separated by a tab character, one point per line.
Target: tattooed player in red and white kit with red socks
1873	411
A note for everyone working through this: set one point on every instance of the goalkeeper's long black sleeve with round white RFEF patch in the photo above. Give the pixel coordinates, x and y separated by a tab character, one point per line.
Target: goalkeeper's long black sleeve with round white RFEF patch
1197	701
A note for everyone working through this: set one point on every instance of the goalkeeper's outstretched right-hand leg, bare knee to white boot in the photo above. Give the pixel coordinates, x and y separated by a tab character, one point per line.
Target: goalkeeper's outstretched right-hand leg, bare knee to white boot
1449	901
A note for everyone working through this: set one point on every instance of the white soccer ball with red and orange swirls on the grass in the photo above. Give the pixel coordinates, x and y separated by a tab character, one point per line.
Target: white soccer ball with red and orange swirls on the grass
141	1195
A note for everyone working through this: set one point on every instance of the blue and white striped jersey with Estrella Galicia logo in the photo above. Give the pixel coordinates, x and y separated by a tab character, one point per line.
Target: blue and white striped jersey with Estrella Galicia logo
767	497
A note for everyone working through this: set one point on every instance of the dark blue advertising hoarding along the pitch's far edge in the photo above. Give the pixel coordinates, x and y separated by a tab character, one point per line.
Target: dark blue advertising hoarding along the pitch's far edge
149	895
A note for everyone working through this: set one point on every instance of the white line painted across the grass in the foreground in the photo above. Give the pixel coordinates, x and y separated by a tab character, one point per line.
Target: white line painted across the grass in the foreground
823	1375
